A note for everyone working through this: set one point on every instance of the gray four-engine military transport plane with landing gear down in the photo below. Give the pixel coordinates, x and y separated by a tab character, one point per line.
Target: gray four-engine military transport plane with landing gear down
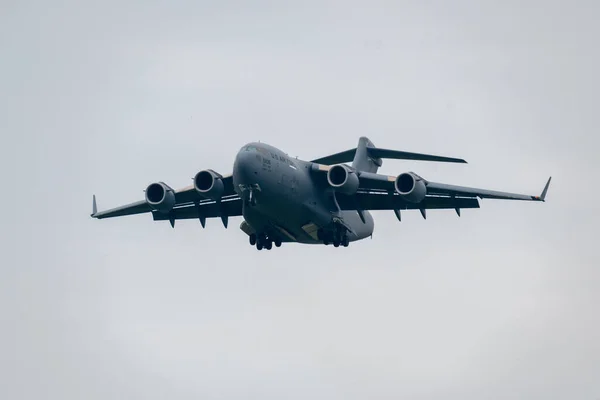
323	201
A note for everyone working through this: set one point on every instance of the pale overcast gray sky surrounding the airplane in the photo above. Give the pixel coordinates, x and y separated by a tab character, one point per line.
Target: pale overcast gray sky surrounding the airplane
106	97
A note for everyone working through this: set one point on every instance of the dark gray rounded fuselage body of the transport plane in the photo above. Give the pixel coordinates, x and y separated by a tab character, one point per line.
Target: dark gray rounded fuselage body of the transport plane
282	199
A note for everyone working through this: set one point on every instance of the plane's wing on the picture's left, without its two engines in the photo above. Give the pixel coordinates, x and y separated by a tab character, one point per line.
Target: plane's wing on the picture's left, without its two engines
186	196
